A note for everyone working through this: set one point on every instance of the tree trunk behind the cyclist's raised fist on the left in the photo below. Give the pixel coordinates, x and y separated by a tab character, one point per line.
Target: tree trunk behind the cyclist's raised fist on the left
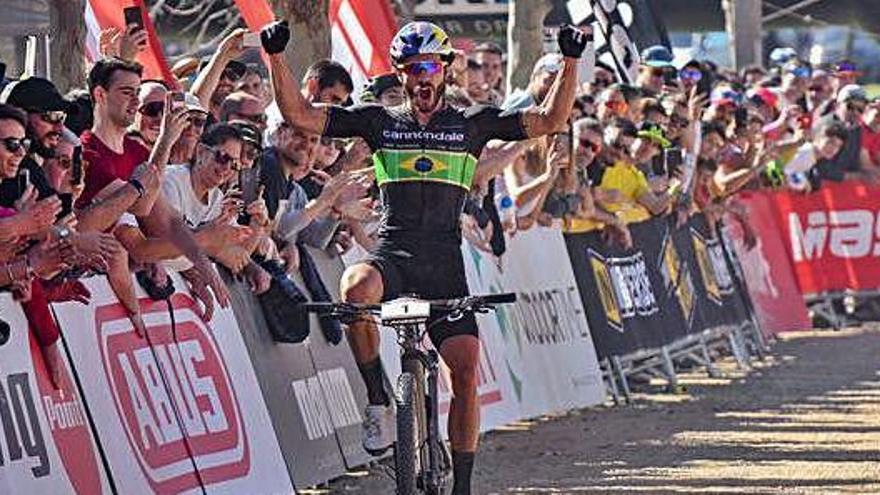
310	31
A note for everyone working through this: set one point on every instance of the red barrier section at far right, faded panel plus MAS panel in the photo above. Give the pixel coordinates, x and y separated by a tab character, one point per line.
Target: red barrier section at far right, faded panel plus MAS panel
814	248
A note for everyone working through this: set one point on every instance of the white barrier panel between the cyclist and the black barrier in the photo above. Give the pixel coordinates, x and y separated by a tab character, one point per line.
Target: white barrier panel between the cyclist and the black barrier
545	345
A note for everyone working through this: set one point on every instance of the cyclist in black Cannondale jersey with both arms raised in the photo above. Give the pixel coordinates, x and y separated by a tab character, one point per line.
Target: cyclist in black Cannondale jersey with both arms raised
425	155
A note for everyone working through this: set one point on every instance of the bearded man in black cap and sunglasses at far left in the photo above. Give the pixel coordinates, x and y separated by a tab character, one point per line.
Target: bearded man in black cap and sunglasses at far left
46	110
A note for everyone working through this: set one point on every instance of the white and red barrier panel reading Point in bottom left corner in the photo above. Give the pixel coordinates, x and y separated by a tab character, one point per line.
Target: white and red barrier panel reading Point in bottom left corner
47	445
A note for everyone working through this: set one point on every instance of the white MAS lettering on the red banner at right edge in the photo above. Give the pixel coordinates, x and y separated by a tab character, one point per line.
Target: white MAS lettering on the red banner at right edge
843	234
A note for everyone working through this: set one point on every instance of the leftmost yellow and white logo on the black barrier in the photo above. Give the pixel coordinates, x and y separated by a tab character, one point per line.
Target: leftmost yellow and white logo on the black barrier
624	287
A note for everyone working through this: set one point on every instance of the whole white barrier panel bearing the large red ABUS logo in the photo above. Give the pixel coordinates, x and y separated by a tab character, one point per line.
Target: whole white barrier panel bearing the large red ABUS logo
180	411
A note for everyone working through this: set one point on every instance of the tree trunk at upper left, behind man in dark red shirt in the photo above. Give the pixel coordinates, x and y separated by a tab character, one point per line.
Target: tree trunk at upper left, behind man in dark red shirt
68	43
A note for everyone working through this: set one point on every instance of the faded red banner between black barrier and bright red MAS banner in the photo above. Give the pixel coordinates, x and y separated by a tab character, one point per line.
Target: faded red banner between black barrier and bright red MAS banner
769	276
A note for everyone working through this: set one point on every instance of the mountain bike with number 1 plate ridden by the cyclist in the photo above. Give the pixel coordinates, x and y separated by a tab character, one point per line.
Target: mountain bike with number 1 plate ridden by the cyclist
422	460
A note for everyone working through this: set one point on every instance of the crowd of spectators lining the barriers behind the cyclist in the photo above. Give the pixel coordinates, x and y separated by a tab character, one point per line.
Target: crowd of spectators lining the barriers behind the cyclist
152	177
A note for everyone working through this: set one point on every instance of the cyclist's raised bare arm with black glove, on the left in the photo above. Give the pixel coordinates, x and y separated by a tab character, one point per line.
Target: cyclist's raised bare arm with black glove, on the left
296	110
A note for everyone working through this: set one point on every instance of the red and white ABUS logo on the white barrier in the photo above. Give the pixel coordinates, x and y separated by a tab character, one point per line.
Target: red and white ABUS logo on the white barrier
174	397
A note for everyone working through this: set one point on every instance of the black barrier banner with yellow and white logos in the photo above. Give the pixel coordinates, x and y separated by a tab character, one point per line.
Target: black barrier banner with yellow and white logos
675	281
